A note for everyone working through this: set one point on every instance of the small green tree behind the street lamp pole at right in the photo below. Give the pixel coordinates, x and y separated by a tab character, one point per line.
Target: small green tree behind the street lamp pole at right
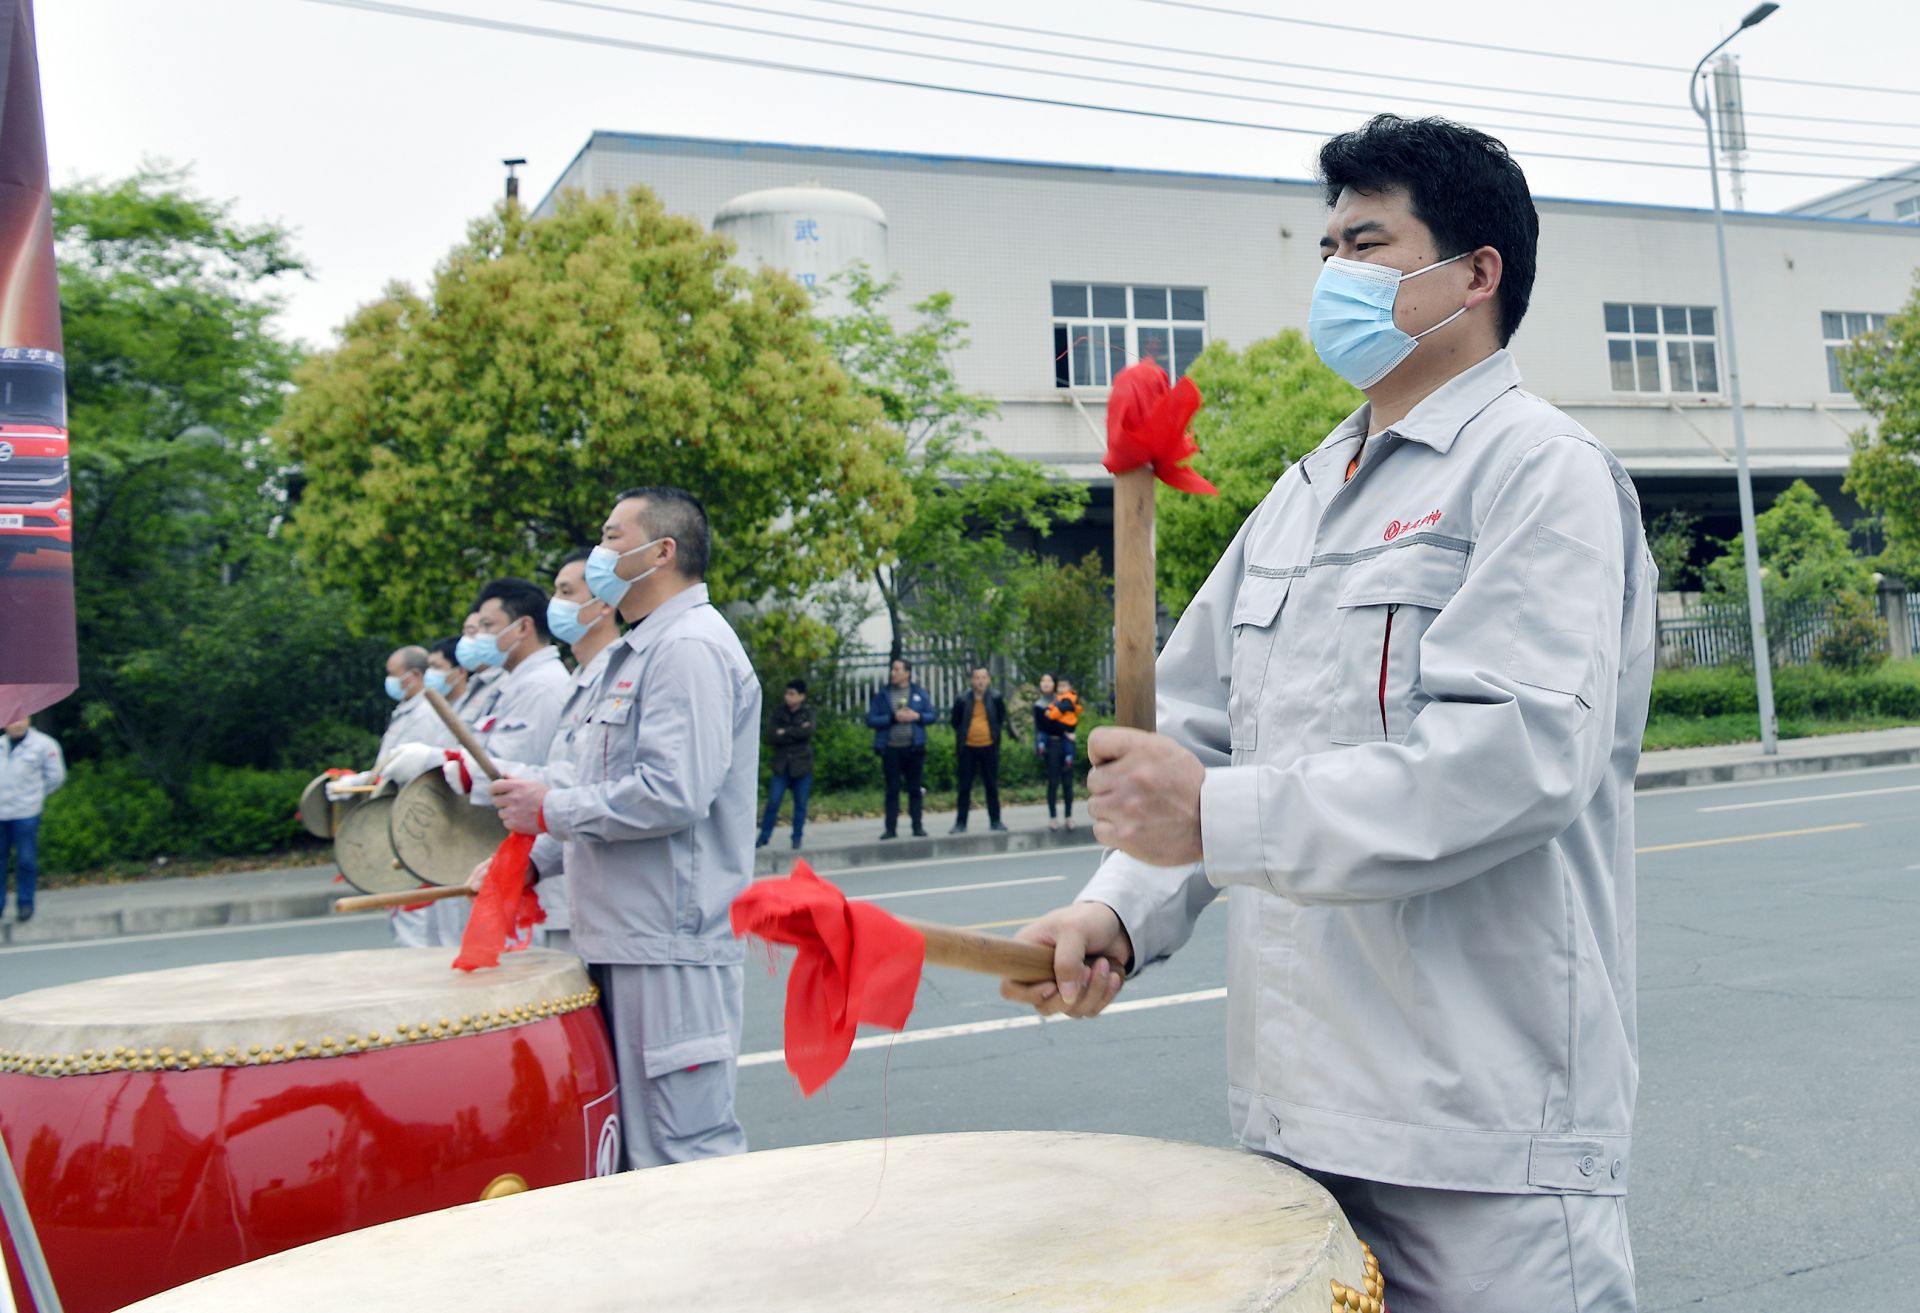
1806	561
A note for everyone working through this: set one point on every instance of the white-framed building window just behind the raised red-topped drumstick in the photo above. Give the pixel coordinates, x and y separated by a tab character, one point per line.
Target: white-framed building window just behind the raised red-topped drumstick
1103	327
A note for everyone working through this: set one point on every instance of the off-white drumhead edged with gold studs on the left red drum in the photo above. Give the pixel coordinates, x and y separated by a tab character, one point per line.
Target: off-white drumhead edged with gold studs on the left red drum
279	1009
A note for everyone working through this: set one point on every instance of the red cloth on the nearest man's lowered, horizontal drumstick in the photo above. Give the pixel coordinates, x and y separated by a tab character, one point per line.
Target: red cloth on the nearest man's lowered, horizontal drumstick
855	965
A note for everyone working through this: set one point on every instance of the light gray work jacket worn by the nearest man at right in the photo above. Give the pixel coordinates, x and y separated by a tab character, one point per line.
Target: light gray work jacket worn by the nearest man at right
1420	700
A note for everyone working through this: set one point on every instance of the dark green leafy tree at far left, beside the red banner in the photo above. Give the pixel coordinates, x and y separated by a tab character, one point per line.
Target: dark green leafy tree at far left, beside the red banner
199	638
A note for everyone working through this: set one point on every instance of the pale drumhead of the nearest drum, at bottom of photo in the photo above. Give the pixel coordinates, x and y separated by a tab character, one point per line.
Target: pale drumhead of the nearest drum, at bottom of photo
924	1224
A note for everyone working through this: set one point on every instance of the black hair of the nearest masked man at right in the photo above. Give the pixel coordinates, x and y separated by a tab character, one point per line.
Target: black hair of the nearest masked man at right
1460	183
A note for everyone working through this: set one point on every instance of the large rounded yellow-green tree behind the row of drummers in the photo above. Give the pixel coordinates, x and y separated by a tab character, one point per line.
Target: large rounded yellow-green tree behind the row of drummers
483	429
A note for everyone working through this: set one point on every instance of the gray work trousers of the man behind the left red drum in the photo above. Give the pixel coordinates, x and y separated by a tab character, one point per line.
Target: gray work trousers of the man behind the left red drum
677	1038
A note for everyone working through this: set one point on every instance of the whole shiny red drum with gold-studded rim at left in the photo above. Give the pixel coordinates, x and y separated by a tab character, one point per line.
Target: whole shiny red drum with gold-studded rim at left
176	1124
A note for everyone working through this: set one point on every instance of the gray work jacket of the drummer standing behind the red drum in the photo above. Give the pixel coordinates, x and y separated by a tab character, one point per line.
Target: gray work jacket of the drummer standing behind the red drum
661	823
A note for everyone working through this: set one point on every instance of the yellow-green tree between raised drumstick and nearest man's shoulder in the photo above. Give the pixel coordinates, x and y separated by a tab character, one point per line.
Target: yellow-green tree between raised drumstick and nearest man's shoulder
1266	408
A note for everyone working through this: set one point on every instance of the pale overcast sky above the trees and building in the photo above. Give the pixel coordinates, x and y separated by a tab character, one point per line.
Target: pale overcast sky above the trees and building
377	137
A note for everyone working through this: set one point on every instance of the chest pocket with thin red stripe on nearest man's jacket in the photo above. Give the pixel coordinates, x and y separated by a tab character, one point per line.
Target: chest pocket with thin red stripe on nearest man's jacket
1383	613
